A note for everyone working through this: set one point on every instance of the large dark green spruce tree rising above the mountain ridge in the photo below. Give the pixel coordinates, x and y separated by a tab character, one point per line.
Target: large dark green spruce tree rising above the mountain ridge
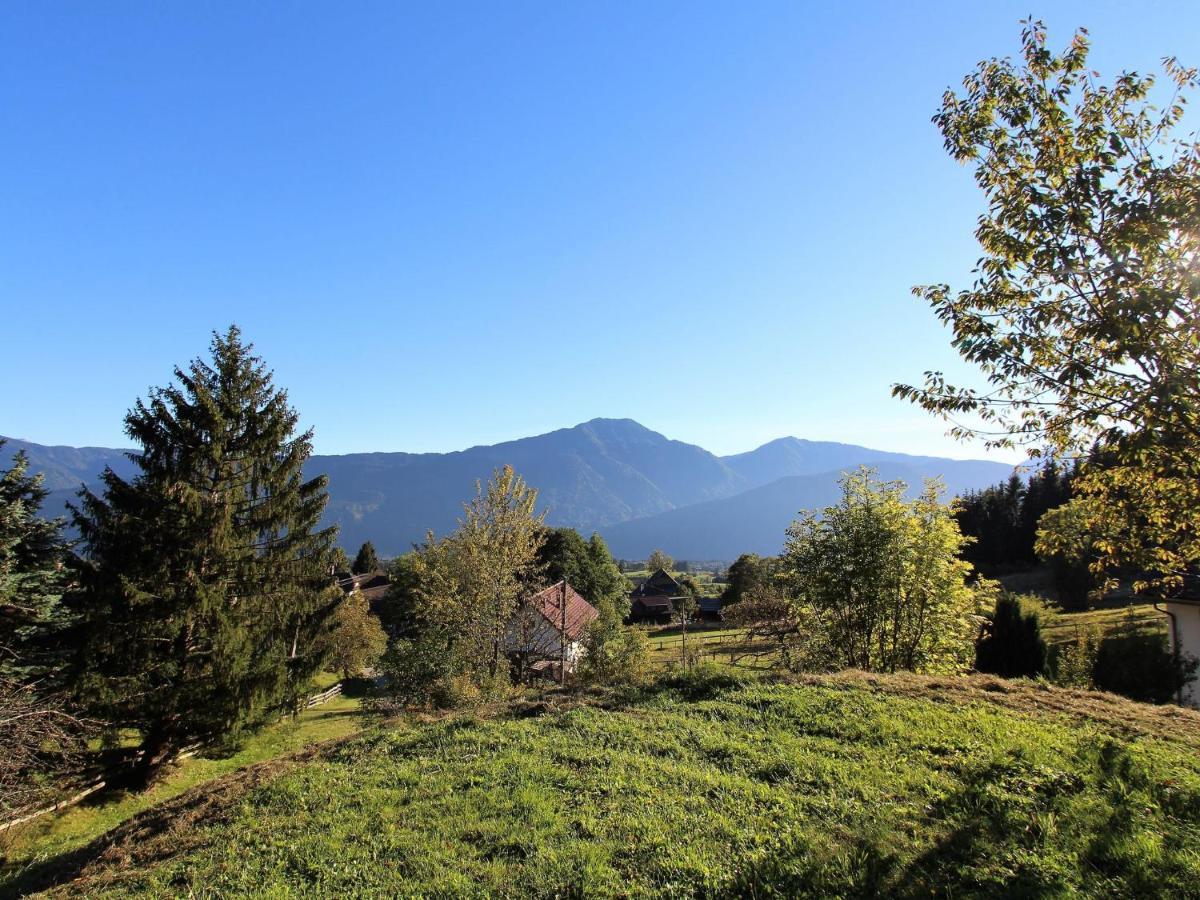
205	583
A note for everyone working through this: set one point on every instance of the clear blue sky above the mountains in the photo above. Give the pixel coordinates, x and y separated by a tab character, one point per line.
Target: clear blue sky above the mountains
449	225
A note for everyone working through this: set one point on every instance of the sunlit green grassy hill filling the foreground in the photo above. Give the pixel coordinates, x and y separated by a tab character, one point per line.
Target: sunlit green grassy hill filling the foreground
712	785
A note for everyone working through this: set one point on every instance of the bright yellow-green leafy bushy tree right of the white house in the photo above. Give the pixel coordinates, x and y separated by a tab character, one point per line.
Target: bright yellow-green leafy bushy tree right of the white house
879	581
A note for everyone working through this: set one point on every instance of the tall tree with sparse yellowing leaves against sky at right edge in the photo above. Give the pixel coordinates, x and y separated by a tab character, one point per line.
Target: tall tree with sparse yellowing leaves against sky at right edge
1085	314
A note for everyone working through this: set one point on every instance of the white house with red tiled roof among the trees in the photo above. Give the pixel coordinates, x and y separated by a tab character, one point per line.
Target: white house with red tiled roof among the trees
547	637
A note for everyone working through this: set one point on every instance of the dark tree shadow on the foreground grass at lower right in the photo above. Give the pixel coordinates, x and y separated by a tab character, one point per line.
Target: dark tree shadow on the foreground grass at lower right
993	843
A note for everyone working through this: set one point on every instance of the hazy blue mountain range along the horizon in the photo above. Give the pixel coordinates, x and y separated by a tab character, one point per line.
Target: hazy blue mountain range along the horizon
635	487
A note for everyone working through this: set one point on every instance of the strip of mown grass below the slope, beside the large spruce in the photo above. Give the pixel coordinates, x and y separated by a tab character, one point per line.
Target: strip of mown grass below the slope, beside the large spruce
63	832
